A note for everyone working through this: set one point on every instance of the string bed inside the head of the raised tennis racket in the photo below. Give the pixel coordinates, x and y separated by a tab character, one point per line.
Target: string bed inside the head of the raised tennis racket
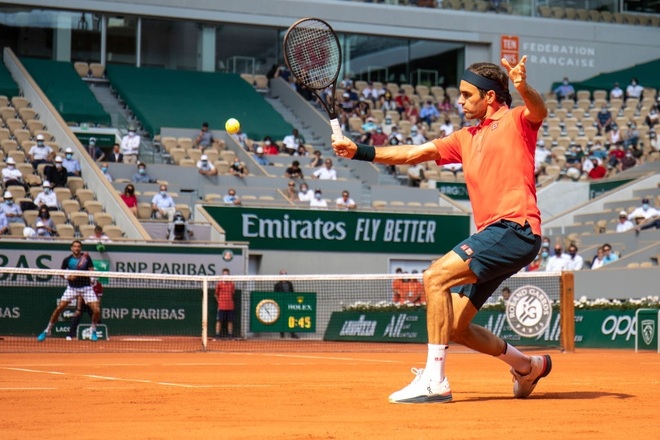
313	55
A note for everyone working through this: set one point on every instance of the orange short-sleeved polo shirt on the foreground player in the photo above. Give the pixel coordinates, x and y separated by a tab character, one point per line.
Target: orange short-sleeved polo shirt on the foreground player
498	164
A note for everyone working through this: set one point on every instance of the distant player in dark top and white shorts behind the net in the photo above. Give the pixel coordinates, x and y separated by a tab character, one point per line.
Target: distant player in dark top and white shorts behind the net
77	286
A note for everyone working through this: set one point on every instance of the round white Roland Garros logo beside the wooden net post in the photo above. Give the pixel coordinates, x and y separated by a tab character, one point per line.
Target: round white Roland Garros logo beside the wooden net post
529	311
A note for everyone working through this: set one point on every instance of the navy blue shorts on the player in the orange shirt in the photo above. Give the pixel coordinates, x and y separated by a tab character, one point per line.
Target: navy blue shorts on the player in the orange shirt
494	254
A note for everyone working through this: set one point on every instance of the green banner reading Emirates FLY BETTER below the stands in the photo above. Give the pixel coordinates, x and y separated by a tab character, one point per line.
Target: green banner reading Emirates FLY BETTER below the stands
340	231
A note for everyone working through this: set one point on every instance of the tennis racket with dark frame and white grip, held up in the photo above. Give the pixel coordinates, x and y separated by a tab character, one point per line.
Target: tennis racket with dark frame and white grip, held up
313	55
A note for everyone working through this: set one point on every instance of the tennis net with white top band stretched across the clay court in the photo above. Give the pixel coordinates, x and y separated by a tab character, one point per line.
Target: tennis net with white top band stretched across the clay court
147	312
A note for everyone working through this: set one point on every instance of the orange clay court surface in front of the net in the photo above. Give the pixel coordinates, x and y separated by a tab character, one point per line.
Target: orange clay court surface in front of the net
590	394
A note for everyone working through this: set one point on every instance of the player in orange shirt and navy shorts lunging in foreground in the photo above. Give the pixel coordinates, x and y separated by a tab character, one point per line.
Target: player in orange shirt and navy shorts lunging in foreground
498	163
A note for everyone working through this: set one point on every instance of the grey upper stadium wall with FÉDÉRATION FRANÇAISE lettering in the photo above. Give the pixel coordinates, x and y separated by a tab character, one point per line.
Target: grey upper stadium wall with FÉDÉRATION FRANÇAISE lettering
556	48
